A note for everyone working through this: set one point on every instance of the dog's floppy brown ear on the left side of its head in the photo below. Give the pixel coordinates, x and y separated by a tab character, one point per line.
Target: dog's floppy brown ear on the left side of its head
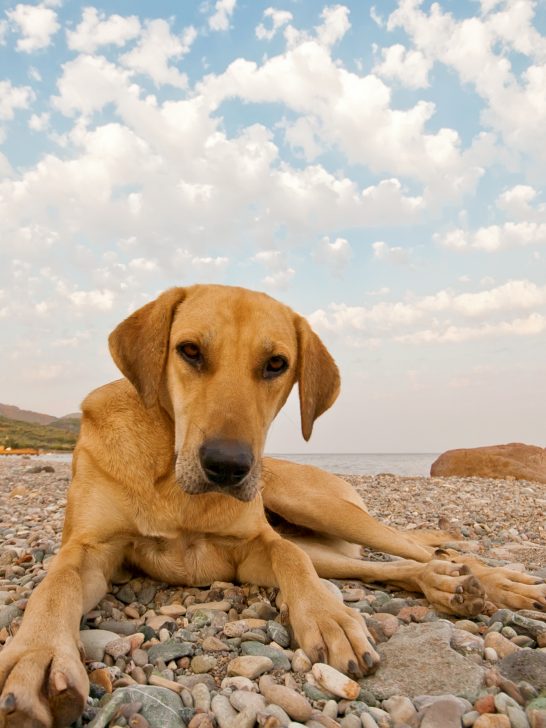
139	345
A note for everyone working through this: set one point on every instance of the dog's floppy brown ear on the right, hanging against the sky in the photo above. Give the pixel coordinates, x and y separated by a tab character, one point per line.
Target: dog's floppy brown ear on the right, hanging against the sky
318	376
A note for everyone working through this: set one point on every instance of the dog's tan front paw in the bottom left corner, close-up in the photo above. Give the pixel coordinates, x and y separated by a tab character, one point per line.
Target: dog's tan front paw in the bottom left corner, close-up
42	685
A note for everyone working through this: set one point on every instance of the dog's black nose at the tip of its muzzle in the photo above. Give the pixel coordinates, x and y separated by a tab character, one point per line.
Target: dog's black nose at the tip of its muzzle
225	462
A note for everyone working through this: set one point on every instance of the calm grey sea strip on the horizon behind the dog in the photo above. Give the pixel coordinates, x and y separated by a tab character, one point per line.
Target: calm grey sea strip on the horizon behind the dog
412	463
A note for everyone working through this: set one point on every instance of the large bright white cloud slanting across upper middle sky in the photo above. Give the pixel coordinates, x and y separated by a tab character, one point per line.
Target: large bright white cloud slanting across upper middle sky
353	114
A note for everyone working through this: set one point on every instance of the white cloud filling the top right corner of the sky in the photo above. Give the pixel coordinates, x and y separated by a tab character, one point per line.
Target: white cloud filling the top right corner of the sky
476	48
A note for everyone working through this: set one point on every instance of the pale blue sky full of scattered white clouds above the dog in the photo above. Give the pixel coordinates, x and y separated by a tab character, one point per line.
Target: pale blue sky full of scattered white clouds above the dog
378	168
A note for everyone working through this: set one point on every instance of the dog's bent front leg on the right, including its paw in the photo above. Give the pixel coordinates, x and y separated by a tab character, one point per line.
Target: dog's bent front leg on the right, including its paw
324	627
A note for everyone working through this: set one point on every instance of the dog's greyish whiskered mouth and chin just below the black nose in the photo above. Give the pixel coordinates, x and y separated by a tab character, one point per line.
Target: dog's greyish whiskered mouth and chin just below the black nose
191	477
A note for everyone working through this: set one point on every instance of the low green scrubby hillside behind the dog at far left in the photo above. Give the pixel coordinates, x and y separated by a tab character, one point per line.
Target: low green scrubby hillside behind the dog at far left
59	435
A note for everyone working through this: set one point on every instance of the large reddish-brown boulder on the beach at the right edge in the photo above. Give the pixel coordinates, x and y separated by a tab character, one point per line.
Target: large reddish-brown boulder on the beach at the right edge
522	462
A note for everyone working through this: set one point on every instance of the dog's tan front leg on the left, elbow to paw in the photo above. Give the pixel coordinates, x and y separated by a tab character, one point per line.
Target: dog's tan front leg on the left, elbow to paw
43	682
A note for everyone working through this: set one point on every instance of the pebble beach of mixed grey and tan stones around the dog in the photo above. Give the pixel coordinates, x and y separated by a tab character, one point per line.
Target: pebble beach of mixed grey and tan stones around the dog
222	657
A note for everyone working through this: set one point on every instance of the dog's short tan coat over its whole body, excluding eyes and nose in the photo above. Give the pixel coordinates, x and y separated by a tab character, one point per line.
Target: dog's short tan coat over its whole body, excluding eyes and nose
139	496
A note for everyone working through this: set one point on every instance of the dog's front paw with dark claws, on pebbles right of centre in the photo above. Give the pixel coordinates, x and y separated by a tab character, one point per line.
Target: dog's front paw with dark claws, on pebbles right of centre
330	632
